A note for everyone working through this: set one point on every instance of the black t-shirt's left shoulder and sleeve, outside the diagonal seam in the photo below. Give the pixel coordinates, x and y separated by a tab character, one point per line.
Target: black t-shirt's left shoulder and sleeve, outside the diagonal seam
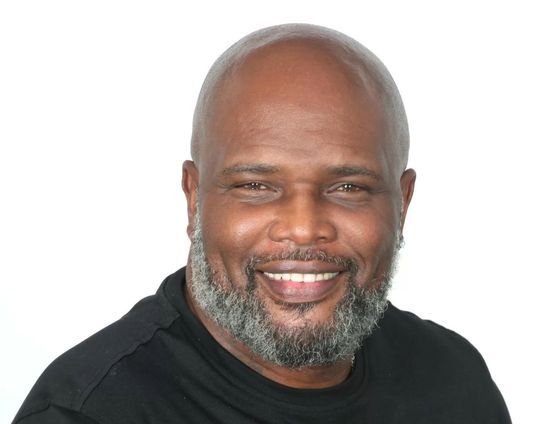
69	380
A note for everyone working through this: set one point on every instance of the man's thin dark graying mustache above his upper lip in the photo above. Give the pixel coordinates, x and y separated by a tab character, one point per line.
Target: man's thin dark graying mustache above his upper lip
348	264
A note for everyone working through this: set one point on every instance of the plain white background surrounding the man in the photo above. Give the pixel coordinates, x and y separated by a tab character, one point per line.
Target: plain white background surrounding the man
96	101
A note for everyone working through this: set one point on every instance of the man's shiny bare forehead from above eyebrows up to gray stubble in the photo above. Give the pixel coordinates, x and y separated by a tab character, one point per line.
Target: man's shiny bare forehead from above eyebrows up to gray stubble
292	103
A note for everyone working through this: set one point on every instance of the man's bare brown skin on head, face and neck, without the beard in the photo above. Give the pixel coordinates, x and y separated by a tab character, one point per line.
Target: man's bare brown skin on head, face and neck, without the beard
299	144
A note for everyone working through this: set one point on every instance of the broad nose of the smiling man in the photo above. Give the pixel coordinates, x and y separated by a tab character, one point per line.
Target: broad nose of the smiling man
302	220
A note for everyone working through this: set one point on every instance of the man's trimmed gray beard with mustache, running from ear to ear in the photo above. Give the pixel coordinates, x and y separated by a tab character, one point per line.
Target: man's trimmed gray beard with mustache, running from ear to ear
244	315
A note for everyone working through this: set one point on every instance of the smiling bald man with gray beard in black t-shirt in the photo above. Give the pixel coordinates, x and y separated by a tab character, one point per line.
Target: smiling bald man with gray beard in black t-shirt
297	196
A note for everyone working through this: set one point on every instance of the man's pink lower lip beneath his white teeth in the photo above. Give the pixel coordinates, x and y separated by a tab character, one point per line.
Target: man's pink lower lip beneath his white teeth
294	292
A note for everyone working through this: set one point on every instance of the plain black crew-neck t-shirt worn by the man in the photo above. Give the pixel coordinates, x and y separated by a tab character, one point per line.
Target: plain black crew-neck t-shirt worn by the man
158	364
